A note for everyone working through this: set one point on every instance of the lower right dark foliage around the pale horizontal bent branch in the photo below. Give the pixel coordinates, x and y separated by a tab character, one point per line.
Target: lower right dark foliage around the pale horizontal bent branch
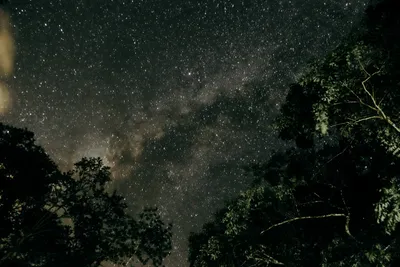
320	213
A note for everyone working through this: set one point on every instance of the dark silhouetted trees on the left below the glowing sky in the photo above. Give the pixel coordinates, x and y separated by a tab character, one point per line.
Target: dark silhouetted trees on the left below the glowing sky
52	219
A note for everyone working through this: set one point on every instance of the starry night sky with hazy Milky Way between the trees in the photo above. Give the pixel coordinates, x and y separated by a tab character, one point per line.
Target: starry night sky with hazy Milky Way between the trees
166	91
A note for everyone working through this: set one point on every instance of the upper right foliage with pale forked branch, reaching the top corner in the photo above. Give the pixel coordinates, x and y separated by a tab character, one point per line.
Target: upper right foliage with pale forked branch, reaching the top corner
354	91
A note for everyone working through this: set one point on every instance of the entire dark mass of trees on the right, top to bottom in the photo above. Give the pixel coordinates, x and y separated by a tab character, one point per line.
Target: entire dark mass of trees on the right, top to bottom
334	200
